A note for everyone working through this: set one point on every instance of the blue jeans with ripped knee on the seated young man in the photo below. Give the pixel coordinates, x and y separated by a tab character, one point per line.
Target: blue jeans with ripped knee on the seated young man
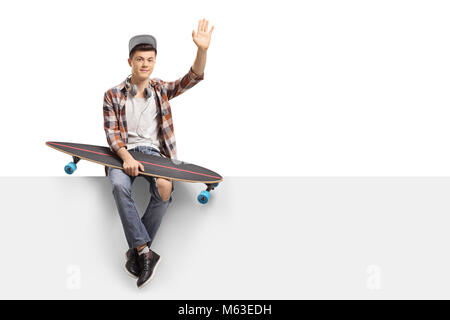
138	231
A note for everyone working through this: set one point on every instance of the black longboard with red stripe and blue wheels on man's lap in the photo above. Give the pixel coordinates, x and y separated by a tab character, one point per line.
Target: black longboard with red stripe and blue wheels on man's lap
154	166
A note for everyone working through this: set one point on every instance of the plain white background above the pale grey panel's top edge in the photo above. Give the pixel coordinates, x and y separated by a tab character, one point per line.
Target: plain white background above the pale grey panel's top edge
291	87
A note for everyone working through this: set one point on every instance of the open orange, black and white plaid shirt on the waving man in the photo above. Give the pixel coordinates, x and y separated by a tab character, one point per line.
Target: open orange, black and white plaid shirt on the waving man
114	116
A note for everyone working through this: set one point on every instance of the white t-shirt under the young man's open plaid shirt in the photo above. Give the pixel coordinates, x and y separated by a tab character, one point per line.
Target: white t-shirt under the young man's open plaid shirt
142	124
